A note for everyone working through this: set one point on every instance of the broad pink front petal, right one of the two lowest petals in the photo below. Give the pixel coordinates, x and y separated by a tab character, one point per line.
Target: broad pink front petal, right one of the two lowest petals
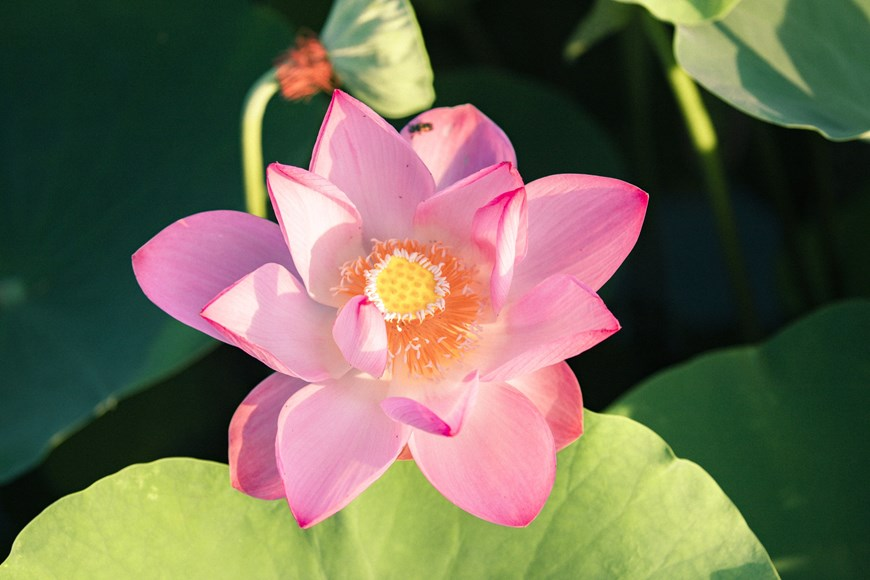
501	466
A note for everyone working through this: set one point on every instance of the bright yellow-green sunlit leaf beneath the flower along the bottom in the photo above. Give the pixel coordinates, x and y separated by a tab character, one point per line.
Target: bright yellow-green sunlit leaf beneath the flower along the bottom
623	506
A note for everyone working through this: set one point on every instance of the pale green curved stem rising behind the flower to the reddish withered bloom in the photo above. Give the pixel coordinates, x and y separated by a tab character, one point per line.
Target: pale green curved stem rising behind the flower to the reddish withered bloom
252	141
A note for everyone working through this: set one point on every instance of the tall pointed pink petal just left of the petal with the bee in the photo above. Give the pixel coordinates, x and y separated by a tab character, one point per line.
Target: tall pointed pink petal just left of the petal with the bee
367	159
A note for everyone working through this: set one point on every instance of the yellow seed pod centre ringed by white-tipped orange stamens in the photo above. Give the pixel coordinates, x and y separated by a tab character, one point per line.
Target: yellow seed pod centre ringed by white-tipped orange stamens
429	301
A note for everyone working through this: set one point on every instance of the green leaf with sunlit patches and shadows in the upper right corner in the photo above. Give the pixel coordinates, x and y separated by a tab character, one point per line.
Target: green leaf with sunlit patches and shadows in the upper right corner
797	63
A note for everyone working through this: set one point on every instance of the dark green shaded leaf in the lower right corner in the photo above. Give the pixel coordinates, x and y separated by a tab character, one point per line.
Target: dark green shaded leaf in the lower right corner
783	427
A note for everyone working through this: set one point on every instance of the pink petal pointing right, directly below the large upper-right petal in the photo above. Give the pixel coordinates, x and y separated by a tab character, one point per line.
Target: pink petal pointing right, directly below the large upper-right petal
558	319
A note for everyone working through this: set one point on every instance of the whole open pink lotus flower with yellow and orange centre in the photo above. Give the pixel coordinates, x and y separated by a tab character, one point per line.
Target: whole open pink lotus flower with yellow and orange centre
424	309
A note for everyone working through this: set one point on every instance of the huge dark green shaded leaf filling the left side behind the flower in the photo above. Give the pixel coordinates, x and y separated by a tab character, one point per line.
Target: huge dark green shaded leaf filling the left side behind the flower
117	120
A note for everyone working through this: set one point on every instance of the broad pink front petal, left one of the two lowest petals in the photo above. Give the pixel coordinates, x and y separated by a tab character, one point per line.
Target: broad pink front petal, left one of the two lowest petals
333	442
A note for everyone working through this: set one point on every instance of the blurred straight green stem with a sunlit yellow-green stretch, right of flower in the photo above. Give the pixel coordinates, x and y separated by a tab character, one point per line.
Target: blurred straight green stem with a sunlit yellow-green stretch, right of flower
705	143
